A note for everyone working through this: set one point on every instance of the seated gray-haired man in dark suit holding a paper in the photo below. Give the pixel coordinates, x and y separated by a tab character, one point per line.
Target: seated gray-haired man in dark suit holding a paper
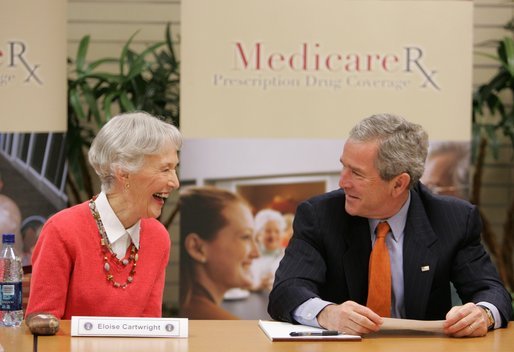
433	240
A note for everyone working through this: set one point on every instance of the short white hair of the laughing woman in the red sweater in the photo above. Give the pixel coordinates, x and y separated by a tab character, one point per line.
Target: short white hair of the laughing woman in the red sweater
124	142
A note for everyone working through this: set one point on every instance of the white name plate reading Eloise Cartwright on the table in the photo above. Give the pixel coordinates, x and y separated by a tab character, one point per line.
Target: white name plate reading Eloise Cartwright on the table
134	327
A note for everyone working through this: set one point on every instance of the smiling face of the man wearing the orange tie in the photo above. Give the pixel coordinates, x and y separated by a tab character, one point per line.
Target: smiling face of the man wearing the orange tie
367	195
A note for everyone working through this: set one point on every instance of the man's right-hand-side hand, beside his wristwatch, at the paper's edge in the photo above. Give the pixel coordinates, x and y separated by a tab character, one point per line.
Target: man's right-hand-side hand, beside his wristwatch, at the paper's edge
468	320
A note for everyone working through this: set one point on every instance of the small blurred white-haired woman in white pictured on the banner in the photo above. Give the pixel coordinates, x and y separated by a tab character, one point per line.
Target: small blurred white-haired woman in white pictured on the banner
269	227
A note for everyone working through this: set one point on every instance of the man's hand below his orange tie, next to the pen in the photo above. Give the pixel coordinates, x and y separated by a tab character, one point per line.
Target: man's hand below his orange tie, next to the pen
349	317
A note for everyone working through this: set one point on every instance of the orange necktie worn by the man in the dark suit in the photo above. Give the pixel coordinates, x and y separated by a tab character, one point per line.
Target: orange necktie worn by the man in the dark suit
379	287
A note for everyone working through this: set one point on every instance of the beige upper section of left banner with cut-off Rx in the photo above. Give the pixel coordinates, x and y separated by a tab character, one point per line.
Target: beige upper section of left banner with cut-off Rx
33	66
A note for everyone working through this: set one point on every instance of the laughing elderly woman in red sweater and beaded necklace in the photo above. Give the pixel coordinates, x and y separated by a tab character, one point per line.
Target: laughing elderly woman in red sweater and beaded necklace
107	256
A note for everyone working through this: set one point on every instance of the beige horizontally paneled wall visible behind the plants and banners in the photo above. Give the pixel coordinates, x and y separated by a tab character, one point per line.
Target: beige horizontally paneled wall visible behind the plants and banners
111	22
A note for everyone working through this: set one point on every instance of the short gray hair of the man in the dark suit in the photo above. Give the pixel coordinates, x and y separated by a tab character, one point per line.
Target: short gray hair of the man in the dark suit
402	145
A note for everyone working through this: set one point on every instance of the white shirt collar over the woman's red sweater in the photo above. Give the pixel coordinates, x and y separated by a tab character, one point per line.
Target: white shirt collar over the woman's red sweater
112	225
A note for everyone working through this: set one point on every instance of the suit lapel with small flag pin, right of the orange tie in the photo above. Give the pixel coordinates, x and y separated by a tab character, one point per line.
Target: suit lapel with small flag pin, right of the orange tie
419	259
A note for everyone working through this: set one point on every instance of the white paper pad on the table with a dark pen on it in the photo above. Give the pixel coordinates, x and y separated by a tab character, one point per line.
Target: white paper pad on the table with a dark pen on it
280	331
